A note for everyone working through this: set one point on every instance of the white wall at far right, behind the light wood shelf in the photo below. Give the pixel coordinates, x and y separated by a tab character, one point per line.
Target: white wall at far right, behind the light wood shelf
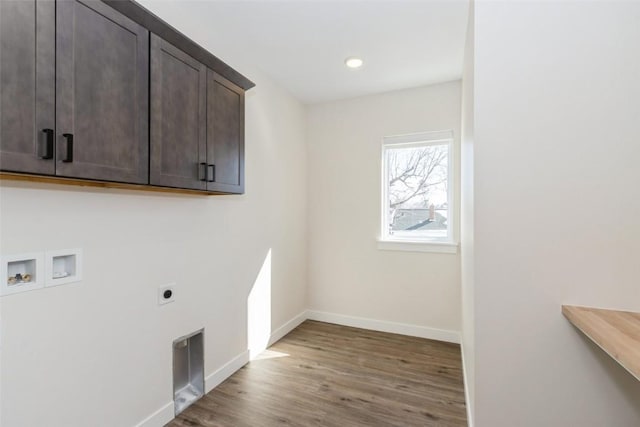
557	203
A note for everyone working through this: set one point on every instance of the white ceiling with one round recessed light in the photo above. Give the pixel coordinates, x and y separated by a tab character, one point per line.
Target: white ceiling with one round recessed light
302	44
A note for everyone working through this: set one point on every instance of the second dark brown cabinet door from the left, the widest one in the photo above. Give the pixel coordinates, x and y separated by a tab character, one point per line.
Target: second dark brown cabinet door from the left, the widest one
102	93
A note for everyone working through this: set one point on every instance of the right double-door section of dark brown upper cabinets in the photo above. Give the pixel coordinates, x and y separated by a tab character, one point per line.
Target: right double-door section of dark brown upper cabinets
197	124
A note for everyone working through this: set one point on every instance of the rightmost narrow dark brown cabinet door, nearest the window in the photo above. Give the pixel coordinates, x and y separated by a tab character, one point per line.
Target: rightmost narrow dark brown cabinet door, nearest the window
225	135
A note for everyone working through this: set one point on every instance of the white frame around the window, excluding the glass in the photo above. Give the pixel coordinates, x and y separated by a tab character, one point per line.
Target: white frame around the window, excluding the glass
417	244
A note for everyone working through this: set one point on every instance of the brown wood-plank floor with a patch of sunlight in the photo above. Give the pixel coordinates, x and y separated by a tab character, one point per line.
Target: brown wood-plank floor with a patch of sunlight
328	375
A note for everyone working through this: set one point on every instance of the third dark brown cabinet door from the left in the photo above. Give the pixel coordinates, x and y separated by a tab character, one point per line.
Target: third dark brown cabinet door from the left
178	117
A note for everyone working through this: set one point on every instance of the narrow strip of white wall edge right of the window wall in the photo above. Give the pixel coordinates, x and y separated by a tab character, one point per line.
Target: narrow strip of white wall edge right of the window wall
467	256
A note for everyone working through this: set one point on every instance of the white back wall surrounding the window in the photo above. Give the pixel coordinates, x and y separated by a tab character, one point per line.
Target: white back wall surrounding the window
348	275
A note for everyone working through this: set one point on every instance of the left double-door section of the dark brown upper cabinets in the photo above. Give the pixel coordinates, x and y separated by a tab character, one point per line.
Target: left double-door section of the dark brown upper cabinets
74	91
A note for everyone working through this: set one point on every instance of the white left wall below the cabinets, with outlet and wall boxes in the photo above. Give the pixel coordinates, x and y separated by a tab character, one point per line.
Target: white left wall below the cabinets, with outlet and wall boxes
98	353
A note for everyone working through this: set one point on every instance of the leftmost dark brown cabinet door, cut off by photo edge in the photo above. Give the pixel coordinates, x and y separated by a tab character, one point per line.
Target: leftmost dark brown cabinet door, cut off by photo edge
27	83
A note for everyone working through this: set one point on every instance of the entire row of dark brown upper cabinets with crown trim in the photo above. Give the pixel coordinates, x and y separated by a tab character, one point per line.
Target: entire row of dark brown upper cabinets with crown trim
100	92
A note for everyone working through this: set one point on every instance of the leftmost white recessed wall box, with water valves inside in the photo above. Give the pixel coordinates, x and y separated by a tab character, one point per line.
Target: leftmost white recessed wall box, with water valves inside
20	273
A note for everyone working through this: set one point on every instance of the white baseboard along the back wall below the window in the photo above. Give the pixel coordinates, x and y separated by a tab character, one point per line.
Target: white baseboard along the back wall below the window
384	326
